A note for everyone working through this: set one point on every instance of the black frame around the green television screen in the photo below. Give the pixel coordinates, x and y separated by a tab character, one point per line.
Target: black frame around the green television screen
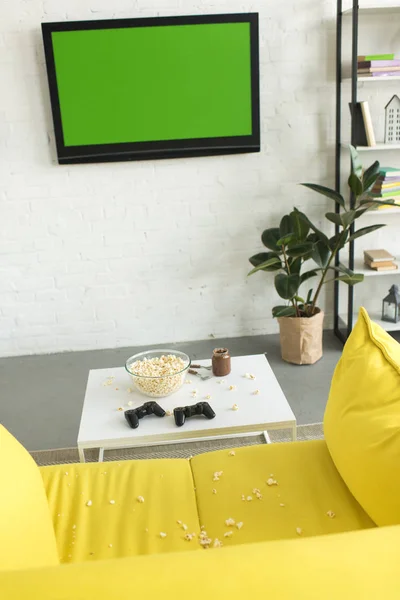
157	149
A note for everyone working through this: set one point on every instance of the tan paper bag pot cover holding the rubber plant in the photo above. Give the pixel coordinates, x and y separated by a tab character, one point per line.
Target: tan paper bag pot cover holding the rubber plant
301	338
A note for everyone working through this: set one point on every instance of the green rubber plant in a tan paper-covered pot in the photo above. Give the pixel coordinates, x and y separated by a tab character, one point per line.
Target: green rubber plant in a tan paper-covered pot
295	242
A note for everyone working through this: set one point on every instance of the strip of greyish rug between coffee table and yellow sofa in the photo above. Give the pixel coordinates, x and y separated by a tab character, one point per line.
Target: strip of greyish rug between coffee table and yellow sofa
183	450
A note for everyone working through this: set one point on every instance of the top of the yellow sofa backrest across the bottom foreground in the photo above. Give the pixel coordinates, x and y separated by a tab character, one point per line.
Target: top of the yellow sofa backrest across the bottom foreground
362	564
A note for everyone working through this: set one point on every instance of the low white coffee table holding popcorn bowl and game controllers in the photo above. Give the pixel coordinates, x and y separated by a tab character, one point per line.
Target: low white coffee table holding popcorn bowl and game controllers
104	426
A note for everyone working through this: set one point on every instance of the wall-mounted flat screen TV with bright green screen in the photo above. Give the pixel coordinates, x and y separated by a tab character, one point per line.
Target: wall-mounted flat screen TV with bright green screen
164	87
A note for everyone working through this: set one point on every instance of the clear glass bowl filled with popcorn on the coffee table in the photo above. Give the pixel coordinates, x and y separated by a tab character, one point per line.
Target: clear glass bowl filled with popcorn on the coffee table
155	385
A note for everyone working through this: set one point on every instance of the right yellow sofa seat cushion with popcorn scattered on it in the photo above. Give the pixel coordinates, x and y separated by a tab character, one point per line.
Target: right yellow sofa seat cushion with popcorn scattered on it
308	485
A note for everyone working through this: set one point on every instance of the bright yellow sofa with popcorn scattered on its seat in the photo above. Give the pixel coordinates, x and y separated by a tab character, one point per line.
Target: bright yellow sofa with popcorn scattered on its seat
152	528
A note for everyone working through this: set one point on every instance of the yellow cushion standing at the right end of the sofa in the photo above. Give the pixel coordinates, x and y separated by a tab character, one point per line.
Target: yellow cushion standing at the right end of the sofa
362	419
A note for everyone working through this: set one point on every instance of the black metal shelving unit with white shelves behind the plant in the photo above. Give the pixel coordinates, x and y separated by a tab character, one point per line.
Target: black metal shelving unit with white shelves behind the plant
343	321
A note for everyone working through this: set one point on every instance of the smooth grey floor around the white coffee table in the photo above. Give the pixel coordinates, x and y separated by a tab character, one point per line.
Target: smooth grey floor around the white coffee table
42	396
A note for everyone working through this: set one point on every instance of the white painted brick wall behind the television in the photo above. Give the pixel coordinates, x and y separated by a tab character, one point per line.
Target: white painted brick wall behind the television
95	256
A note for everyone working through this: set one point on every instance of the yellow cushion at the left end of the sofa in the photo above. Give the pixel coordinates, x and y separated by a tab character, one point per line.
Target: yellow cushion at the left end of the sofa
26	532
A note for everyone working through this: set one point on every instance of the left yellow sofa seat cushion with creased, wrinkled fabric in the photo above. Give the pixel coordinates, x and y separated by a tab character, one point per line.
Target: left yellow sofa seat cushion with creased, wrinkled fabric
116	523
